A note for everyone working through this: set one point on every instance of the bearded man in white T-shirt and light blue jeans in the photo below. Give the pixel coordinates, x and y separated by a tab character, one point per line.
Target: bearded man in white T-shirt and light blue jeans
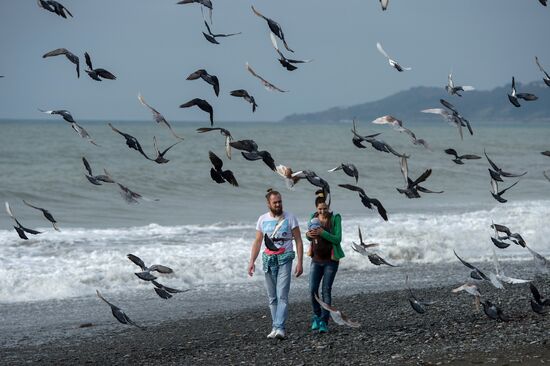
282	227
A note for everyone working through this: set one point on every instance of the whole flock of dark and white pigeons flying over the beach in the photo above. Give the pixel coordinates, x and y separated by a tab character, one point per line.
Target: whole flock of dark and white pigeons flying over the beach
250	151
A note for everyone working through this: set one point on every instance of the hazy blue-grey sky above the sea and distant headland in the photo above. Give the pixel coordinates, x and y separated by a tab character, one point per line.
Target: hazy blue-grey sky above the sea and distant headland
152	46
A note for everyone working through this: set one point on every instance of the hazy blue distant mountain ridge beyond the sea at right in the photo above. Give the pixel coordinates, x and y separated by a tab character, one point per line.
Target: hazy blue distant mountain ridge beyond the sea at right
474	105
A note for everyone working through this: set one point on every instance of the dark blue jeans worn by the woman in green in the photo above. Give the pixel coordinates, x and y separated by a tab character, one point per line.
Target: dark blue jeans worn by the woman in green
322	272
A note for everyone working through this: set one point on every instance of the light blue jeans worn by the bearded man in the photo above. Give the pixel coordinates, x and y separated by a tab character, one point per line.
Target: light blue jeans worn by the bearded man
277	283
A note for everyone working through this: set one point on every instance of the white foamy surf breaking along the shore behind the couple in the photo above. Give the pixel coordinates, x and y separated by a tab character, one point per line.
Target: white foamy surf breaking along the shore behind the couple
75	262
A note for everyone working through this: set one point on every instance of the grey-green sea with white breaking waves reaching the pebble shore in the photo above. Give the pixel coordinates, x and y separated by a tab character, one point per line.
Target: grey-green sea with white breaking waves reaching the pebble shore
204	230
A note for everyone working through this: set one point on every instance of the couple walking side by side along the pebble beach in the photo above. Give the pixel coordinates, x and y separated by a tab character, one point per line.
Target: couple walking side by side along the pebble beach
324	233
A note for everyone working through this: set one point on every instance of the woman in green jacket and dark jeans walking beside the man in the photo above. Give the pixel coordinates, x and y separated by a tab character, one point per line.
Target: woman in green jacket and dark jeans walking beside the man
325	235
